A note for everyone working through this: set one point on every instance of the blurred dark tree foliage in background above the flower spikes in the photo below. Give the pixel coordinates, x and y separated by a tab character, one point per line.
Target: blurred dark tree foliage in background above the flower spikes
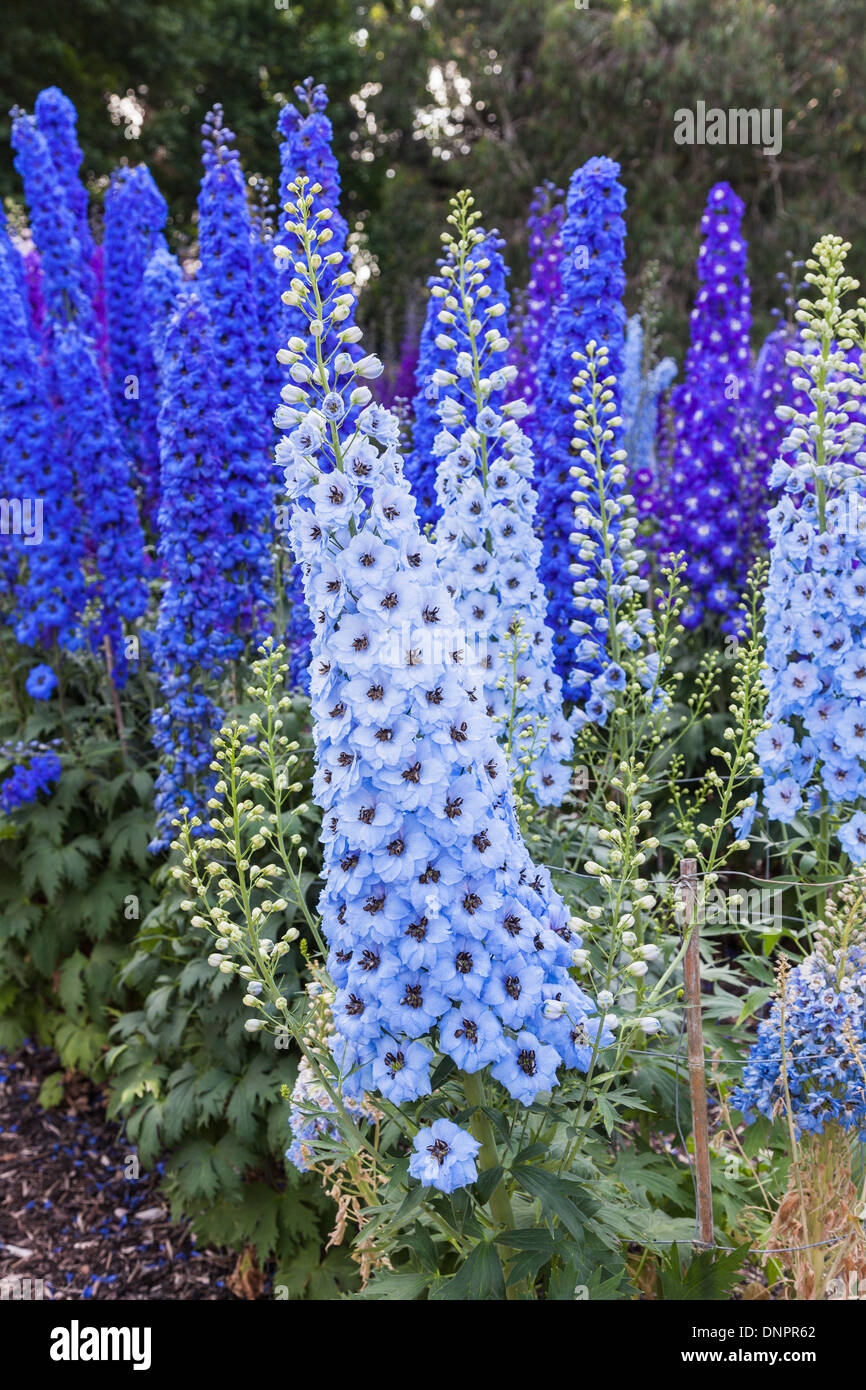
498	95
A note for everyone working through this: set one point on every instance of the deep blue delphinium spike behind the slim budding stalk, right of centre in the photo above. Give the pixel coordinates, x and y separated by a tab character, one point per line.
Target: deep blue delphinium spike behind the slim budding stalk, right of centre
590	309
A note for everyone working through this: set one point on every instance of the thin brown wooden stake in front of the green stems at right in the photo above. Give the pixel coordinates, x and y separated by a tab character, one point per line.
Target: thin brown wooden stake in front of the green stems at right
697	1065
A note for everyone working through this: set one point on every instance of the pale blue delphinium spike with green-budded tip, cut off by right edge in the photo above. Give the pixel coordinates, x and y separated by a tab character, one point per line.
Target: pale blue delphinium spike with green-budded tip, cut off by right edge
814	754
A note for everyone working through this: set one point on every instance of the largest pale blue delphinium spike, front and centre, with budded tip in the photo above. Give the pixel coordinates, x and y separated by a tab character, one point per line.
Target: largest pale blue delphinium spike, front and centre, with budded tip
444	938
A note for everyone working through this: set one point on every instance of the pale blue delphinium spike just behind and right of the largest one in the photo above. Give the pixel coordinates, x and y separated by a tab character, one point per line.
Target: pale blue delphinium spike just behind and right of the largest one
486	544
